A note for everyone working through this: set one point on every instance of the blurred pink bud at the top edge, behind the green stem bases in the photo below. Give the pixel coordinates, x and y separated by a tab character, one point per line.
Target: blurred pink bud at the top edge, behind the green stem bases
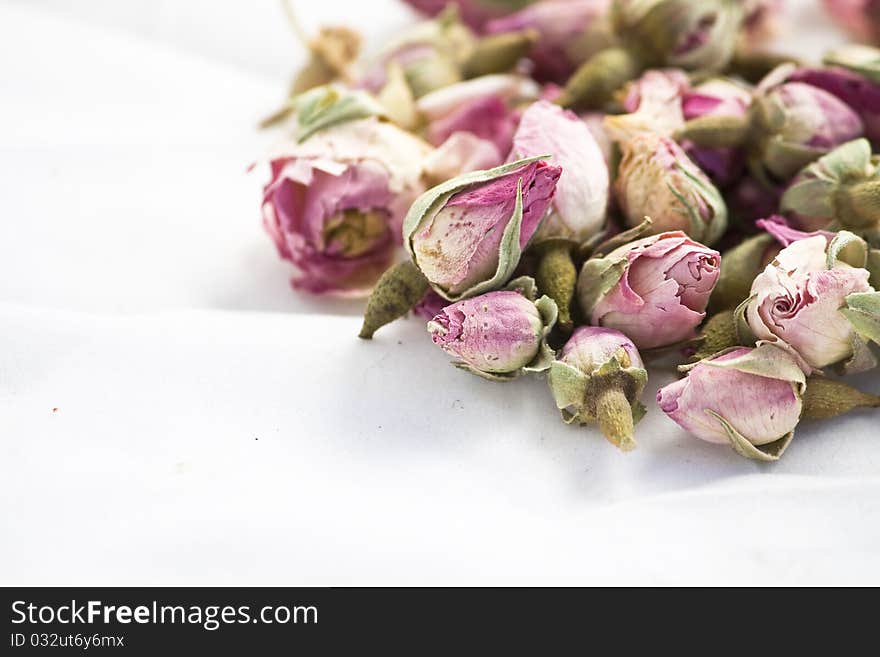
569	32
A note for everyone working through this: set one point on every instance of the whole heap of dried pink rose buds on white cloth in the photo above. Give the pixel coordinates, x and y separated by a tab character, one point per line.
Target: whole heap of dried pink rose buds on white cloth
570	189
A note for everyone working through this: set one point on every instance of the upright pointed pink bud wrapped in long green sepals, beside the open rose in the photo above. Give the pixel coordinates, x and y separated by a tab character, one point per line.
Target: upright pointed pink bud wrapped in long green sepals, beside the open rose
467	234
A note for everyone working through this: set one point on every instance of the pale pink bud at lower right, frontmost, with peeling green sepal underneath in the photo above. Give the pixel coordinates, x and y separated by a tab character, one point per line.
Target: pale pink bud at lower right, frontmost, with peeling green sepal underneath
745	397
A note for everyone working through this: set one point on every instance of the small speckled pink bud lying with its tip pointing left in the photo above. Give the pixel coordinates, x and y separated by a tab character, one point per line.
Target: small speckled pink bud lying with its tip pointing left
498	335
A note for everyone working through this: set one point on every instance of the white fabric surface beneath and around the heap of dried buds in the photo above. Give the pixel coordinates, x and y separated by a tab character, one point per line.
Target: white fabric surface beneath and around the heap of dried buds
213	427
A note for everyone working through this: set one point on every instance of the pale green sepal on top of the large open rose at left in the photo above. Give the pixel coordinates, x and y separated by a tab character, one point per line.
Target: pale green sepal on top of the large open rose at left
323	107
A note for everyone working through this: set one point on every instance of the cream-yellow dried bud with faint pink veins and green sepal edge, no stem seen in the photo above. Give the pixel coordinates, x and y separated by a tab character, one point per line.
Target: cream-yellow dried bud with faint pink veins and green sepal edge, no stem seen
657	179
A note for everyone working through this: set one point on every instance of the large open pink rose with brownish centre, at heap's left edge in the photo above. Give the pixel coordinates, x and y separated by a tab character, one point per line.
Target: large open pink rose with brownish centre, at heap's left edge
336	202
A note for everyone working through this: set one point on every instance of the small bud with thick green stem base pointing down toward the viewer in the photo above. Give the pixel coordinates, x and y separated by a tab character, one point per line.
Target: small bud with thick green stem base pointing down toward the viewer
598	377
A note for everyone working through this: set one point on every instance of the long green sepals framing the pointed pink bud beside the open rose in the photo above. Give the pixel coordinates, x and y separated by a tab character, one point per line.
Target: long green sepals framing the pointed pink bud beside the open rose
433	200
